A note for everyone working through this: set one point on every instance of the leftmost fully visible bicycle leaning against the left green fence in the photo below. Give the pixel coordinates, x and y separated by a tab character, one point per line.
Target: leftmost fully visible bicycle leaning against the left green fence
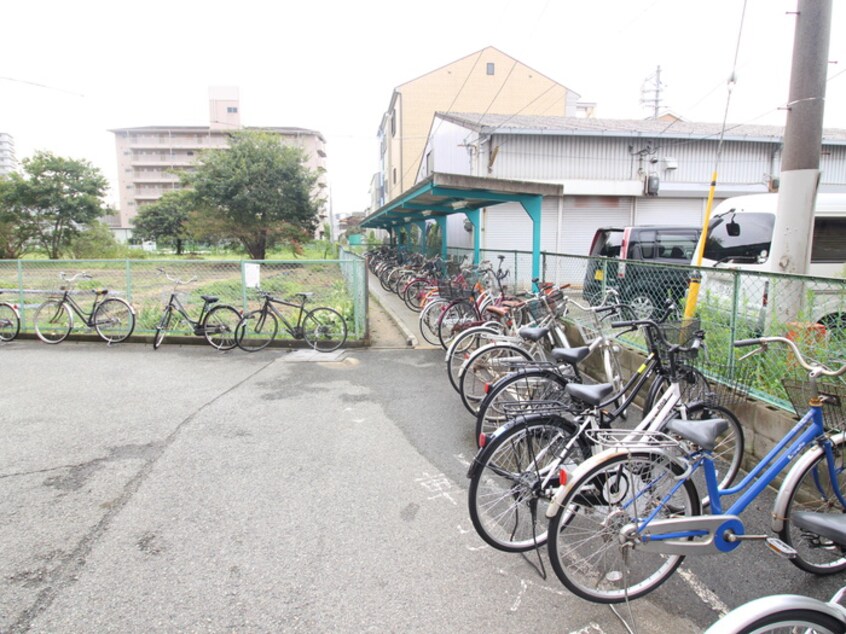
112	317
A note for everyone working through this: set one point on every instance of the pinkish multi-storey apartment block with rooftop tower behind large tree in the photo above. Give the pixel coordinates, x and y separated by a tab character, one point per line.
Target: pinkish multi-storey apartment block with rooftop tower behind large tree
151	158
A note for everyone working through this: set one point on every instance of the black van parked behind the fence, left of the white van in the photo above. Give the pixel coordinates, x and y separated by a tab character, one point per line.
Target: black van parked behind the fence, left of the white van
646	264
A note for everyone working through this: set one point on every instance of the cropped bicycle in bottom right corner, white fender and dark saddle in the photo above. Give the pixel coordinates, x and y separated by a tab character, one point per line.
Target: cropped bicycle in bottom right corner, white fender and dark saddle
793	612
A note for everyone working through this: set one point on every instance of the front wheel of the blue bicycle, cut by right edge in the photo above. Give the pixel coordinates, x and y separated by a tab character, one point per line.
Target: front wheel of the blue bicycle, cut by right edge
813	492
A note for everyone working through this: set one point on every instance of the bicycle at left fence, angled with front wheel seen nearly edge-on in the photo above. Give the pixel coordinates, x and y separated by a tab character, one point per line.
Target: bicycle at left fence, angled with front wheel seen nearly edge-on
217	325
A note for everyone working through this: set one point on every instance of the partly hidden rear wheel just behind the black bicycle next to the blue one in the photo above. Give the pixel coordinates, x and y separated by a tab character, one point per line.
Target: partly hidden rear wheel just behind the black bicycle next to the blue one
514	394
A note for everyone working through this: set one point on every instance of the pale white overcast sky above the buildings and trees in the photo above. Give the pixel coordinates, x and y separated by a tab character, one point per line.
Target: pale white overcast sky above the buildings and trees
70	72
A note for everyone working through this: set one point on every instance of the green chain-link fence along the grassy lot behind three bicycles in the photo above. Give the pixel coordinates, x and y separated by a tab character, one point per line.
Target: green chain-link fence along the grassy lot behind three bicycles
338	284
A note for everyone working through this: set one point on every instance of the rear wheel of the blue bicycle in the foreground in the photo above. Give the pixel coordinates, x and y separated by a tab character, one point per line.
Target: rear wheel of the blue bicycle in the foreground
593	544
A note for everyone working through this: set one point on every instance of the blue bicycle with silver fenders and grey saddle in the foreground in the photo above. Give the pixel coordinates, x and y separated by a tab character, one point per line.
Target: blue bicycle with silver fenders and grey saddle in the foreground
626	518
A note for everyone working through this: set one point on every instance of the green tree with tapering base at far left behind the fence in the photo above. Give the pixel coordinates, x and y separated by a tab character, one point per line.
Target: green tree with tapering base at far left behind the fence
61	196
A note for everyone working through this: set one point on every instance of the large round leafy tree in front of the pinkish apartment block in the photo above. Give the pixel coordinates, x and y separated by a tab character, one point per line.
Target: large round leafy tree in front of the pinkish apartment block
257	191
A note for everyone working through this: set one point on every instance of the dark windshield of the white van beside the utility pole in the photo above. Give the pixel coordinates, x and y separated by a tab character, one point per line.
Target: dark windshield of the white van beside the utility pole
754	237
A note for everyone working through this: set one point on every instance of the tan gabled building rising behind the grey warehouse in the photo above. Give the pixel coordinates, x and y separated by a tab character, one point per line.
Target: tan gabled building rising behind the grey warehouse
485	82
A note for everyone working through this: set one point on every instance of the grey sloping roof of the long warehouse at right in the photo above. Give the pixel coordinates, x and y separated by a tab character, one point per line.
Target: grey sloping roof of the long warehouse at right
579	126
